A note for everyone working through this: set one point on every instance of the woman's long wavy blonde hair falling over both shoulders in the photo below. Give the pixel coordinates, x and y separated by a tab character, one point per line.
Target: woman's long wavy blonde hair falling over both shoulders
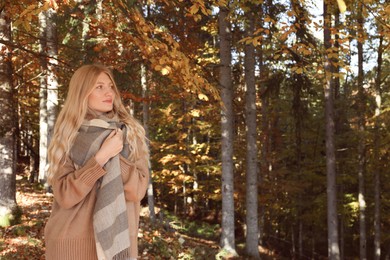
74	111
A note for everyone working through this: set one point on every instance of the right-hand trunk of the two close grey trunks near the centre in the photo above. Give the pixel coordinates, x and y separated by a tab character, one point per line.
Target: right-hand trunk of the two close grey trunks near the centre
252	218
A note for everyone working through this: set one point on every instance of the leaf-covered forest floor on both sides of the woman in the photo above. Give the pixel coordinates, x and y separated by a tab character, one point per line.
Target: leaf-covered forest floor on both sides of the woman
159	241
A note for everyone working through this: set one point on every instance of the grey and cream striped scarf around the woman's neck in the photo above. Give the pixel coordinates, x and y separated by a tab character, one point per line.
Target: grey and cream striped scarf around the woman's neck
110	219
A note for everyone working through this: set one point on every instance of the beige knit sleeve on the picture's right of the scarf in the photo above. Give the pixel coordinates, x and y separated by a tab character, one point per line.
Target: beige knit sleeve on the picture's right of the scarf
135	177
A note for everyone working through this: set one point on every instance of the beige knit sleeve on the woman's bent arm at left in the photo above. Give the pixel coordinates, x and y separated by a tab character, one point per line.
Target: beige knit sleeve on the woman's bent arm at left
71	185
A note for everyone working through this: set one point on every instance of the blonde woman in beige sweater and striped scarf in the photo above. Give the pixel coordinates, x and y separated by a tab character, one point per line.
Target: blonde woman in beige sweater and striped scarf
98	170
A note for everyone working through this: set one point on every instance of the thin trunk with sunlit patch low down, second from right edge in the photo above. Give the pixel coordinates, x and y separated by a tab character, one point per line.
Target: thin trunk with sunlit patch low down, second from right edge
361	145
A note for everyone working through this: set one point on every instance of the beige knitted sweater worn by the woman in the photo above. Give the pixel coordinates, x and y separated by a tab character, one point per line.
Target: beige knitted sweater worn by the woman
69	231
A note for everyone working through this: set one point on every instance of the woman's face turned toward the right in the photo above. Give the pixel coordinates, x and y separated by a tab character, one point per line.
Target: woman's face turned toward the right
101	99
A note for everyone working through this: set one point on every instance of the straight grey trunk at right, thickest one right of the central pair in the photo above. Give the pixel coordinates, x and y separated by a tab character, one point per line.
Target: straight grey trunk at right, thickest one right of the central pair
333	243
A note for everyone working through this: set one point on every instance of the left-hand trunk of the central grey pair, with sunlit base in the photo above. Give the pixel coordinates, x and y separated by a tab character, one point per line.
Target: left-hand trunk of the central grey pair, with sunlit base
228	225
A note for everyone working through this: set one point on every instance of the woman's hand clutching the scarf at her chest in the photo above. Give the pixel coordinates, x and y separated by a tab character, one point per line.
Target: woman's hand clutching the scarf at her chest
112	146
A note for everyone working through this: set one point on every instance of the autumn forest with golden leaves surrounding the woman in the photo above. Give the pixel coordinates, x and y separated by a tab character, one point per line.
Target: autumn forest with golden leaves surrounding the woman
267	120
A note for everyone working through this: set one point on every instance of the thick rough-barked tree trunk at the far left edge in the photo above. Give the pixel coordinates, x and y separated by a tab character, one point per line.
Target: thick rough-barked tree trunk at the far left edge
8	122
